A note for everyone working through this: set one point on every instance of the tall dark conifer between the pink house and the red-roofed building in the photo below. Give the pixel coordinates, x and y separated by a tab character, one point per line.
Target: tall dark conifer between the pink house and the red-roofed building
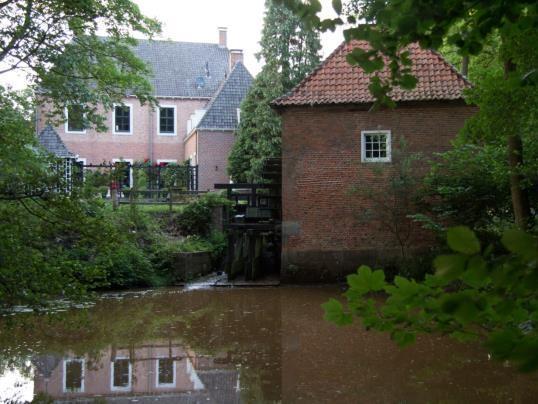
290	51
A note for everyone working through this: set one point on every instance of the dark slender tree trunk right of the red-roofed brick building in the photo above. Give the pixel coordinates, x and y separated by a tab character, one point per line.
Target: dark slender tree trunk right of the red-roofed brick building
520	197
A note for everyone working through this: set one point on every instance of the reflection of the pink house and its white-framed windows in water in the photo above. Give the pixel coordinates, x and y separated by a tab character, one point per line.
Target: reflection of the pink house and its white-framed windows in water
157	370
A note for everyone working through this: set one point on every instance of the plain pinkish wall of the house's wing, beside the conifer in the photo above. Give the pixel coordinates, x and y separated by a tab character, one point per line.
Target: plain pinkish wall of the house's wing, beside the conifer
213	150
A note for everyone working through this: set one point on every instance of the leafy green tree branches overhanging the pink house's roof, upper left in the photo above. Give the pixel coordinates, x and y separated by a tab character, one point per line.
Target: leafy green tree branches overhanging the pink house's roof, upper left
57	43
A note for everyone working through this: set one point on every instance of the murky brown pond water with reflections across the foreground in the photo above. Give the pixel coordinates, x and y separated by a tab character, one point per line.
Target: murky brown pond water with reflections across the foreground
237	346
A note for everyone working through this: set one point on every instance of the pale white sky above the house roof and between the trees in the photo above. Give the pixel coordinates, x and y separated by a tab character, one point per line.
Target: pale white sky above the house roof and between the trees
198	21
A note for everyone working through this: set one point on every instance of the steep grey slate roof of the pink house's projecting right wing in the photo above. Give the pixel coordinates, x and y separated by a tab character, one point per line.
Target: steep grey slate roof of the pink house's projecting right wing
221	112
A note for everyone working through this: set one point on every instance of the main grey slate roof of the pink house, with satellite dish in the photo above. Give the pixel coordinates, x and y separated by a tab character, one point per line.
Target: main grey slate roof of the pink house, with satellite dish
177	67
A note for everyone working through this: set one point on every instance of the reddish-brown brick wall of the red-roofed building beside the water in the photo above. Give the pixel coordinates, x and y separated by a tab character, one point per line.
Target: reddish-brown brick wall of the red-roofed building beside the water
324	236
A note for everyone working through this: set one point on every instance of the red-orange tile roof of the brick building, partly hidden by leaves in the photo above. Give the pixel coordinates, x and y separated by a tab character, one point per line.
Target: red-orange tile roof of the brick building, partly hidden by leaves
335	81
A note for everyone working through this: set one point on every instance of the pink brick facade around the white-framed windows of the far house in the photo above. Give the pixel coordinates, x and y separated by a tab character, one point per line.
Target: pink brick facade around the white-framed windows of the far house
143	143
